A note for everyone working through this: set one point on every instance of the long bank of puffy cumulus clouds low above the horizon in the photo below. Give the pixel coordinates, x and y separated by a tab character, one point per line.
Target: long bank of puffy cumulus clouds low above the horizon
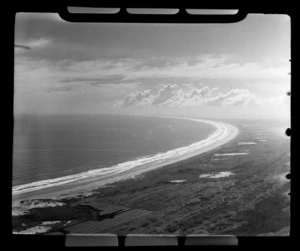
172	95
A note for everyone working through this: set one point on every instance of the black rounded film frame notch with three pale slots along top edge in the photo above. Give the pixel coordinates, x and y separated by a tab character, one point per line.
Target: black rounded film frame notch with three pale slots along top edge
117	14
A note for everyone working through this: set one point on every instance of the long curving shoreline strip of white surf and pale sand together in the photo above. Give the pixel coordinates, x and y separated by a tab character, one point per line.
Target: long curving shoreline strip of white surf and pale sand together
96	178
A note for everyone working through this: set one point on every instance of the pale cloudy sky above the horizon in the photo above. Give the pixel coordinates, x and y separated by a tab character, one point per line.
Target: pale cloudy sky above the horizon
238	70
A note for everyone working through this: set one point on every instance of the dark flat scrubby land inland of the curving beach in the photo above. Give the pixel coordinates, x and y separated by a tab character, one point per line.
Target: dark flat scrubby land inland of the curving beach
253	200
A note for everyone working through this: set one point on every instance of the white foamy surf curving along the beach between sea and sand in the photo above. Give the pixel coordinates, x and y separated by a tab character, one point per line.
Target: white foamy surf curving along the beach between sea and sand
222	131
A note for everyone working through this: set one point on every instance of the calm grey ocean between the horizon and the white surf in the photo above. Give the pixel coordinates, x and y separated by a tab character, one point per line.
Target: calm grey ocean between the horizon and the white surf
52	146
